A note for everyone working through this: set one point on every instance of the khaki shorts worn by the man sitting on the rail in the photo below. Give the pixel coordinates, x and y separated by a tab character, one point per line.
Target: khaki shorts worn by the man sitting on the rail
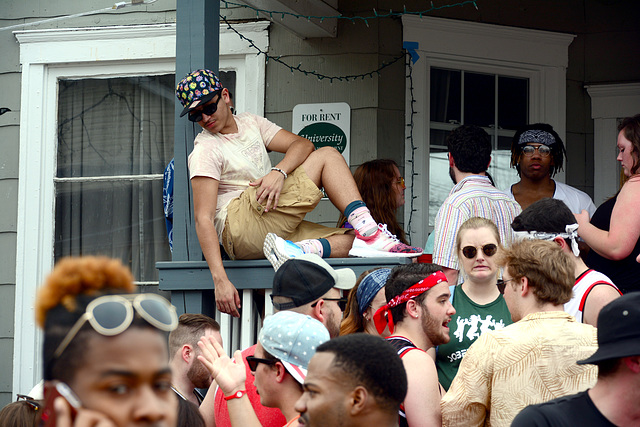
247	223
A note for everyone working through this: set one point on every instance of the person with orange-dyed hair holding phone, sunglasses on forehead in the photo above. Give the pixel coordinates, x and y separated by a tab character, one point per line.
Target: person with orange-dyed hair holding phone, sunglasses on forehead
105	348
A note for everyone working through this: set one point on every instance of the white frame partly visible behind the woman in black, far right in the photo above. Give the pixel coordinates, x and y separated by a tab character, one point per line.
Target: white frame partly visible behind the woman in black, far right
608	104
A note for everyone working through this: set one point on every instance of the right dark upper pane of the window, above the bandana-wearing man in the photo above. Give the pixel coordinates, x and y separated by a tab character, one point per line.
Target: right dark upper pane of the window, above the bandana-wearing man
513	102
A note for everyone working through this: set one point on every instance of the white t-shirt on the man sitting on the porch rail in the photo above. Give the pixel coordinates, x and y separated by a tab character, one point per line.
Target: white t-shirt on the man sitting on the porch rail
233	159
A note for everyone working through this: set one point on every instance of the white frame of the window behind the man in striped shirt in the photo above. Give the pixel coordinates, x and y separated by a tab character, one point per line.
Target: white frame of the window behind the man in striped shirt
541	56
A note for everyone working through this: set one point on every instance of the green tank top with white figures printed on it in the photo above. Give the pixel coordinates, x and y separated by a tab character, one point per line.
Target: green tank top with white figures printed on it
470	321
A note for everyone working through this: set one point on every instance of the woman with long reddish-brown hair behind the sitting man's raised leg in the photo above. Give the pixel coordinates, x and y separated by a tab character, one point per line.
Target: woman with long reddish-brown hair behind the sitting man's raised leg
382	189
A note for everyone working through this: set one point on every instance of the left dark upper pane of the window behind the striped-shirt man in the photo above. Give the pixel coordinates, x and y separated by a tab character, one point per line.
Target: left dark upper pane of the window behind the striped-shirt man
445	95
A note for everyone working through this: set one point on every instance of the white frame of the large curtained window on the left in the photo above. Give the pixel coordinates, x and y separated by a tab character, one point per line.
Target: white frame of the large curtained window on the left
103	52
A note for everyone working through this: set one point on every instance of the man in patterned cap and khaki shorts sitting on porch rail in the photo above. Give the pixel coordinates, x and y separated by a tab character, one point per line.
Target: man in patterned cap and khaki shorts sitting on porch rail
238	197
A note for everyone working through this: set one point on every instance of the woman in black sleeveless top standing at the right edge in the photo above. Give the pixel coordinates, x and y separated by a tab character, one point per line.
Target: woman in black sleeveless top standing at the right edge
614	231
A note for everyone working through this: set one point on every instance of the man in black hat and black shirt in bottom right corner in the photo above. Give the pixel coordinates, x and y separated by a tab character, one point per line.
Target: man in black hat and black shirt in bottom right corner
615	399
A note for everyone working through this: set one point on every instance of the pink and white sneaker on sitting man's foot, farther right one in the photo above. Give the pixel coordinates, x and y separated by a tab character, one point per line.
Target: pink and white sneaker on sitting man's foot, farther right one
382	244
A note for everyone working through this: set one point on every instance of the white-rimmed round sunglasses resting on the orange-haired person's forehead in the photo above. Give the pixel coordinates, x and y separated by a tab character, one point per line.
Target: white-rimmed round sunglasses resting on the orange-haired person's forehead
111	315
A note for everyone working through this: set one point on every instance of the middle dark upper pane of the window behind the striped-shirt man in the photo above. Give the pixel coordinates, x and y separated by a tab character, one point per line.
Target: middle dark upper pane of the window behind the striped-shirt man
479	99
